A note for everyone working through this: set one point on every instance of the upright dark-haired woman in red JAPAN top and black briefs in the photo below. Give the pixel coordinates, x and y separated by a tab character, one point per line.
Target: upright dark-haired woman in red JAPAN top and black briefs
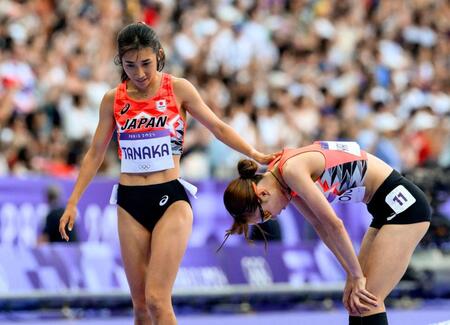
148	110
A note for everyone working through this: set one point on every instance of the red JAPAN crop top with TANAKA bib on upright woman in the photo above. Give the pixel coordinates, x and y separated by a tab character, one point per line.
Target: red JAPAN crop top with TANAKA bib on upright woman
149	131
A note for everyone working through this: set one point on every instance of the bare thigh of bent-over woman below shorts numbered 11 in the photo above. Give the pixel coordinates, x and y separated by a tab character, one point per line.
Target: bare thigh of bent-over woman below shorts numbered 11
389	256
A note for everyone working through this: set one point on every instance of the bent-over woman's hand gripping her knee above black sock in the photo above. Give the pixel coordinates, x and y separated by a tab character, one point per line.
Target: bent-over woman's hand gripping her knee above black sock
358	299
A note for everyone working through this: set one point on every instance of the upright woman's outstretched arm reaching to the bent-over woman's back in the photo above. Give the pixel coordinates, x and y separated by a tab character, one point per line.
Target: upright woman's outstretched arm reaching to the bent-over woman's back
194	104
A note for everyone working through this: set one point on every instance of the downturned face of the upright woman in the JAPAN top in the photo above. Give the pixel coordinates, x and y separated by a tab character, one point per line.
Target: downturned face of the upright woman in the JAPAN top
140	66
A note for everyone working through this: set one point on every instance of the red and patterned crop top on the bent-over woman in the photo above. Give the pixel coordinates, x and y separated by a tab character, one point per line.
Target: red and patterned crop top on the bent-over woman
345	169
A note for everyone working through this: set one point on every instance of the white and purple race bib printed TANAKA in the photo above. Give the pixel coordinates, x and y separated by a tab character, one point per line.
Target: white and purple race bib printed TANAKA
146	152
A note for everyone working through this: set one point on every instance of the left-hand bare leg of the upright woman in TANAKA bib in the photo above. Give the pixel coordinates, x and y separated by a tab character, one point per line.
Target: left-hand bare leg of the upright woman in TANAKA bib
135	249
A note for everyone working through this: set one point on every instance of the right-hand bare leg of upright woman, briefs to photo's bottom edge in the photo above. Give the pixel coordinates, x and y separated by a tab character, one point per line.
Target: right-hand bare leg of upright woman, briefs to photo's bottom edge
169	241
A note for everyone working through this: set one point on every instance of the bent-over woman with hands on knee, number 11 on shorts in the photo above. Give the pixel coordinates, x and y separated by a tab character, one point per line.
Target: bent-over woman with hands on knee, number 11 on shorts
314	176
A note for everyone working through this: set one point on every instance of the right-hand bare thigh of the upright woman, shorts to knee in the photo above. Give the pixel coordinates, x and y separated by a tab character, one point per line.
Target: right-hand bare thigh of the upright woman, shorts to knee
169	241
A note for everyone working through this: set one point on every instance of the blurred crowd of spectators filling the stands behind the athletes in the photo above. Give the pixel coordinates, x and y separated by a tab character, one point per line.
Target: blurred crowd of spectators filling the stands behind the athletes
282	73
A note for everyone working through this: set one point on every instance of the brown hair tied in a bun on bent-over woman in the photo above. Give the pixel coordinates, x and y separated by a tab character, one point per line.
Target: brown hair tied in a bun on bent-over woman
241	200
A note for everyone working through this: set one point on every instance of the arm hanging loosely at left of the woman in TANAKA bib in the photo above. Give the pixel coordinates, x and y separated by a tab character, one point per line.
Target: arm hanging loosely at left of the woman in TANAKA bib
92	160
